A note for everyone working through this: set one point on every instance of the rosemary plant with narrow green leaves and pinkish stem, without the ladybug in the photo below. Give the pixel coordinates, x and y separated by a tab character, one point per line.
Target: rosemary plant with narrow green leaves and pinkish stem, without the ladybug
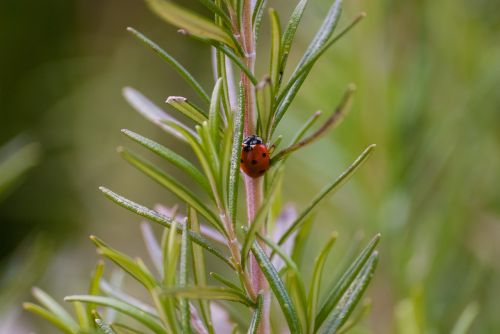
261	251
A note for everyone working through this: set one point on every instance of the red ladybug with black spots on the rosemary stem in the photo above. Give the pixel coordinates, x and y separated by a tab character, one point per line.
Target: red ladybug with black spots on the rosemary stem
254	157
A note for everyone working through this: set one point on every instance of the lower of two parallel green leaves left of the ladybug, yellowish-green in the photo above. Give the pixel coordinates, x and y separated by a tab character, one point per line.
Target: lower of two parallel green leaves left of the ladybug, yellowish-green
170	183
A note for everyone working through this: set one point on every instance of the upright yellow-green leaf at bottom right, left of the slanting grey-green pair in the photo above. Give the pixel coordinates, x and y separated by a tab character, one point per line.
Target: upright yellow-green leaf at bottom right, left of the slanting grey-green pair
314	290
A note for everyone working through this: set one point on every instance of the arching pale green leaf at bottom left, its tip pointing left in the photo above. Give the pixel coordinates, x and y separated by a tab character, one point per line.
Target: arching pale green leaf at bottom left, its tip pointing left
143	317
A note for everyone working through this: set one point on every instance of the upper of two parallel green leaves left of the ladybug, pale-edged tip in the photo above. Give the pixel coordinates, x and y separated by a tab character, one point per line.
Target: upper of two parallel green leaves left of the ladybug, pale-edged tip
172	157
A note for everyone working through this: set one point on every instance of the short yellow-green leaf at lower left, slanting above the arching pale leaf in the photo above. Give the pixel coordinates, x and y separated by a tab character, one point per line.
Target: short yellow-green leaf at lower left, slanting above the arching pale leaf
126	263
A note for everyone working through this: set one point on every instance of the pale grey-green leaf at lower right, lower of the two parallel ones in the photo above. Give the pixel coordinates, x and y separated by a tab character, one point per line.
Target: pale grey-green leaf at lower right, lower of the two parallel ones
350	298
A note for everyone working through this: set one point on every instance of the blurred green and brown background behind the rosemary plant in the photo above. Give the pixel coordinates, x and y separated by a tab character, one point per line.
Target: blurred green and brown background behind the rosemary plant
428	77
